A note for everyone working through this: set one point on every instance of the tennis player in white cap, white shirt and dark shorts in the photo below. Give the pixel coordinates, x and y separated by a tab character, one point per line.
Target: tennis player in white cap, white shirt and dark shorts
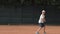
41	22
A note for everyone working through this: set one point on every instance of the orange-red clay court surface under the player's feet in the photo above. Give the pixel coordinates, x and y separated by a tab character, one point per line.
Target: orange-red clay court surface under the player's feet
27	29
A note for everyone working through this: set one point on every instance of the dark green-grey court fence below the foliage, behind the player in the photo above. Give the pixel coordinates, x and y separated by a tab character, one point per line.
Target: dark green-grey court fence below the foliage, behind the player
28	15
